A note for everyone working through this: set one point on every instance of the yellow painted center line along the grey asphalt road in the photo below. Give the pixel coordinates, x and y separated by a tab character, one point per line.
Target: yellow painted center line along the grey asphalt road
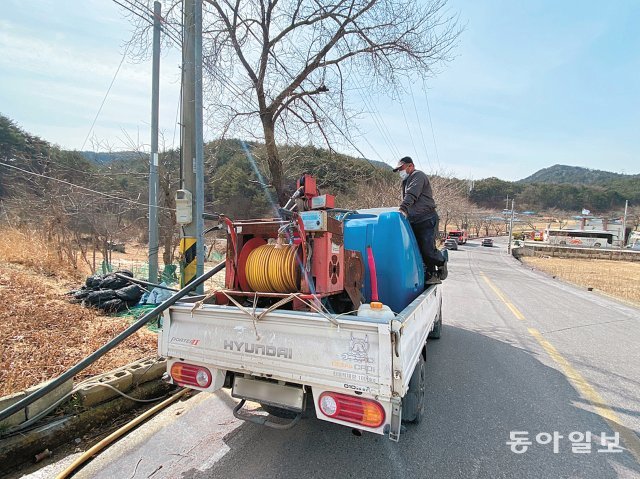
629	437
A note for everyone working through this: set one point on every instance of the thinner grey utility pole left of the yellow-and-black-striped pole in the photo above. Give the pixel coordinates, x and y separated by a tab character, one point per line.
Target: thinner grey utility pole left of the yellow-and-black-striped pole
153	160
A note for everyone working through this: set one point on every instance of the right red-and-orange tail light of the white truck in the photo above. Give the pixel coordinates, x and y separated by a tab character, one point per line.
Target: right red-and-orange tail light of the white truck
364	412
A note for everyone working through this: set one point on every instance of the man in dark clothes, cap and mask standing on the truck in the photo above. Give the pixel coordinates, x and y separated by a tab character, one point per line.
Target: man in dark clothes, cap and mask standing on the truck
419	208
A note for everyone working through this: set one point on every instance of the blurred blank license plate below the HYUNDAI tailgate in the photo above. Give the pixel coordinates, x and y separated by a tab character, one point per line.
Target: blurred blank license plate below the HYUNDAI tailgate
274	394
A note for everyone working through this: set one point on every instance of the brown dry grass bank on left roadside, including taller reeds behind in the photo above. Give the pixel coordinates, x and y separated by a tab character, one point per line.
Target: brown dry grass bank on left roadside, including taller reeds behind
41	334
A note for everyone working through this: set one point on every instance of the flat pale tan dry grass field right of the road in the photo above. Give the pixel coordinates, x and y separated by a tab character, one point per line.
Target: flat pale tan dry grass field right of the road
617	278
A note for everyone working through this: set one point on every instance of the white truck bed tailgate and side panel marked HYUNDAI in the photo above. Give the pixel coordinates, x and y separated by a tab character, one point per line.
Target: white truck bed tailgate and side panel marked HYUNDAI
365	356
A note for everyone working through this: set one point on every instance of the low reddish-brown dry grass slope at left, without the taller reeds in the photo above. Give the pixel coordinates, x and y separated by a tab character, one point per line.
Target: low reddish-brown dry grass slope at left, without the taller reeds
42	335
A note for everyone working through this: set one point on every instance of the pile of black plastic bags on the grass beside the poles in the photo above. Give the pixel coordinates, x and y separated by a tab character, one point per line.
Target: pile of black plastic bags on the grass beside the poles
108	292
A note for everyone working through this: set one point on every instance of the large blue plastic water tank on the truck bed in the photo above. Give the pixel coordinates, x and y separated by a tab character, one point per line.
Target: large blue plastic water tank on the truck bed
398	261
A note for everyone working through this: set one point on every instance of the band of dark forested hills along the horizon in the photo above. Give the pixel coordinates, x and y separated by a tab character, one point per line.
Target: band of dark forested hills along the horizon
233	185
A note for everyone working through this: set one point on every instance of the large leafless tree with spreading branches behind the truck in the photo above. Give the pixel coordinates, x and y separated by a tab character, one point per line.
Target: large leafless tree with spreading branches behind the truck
287	66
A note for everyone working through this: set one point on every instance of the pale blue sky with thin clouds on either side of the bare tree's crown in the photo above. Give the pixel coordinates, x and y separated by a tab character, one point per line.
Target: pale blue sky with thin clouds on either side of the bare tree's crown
533	84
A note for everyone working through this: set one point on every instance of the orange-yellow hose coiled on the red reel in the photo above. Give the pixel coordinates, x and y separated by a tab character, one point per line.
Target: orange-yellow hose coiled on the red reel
272	269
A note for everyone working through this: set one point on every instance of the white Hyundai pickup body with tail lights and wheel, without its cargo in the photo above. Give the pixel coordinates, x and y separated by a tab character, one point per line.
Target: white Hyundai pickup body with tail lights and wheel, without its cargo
365	373
